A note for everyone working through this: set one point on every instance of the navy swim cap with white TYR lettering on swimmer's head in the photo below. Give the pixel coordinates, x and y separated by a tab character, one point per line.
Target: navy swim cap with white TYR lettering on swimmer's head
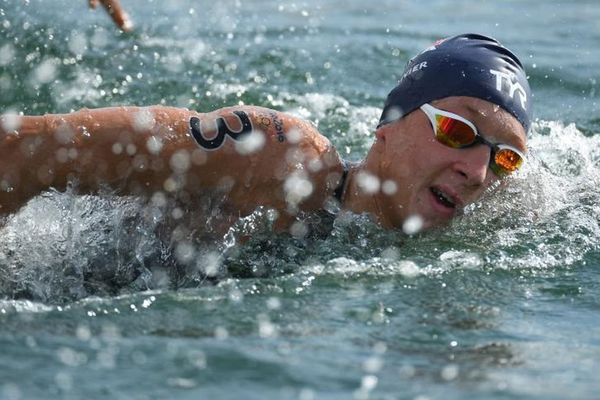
464	65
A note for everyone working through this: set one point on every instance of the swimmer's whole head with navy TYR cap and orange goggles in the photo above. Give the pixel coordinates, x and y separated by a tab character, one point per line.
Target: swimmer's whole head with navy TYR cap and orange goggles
468	86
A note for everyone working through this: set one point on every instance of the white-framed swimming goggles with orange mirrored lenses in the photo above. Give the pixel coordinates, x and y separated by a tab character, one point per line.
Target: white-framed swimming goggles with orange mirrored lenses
454	131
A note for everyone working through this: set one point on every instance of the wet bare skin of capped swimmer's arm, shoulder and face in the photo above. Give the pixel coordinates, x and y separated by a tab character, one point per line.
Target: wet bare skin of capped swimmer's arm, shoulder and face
145	151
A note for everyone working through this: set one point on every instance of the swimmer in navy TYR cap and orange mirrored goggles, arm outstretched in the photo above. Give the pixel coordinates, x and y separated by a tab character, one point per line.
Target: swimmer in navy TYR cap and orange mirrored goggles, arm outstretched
455	124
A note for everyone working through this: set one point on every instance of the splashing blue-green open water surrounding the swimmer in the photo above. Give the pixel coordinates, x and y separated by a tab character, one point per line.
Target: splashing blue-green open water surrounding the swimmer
98	302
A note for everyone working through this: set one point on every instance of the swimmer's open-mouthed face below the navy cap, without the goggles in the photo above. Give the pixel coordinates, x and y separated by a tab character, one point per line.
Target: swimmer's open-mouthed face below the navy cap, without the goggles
434	181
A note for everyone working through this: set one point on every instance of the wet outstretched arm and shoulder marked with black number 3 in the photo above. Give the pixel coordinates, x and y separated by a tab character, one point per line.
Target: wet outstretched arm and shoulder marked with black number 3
257	156
